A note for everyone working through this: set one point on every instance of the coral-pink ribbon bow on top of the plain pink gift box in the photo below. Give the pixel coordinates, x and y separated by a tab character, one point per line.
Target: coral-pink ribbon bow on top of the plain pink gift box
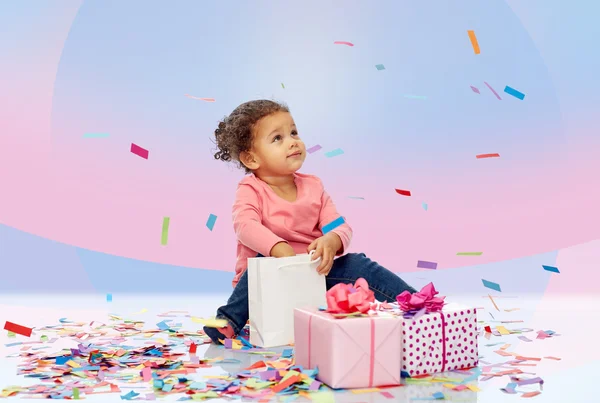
345	298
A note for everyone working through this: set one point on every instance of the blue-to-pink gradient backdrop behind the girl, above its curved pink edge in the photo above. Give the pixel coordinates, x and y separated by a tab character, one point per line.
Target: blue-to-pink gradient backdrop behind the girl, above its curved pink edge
123	69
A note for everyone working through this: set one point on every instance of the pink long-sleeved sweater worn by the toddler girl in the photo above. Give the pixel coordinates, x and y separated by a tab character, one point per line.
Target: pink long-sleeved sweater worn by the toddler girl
261	218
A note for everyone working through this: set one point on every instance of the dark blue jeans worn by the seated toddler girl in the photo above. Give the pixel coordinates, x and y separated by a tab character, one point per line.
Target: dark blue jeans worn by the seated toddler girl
346	269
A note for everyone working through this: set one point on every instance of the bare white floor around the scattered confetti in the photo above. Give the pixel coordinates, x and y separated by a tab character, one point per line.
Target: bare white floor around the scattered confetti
573	317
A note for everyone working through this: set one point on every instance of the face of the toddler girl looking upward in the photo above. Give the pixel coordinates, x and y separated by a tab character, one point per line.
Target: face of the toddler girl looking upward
276	147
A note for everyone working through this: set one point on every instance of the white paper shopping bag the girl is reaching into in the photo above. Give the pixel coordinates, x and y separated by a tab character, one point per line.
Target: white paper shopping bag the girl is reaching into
276	286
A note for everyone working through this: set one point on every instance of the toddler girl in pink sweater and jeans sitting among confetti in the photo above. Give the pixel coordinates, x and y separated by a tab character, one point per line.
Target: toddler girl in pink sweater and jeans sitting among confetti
280	212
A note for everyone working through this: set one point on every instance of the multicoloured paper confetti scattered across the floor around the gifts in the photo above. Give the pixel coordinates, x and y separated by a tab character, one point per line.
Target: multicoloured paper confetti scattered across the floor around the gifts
122	357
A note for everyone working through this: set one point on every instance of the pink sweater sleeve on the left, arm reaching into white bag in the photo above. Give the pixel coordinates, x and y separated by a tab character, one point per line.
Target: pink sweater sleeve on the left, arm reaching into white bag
247	222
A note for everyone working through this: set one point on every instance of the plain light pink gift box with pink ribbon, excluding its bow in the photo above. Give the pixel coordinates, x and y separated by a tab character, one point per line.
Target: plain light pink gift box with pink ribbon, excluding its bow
359	352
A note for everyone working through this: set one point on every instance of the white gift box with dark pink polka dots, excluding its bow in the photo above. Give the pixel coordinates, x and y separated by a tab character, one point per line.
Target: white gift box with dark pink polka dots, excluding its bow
440	341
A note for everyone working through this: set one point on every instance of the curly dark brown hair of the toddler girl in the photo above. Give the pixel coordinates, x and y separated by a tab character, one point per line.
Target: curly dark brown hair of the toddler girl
234	134
